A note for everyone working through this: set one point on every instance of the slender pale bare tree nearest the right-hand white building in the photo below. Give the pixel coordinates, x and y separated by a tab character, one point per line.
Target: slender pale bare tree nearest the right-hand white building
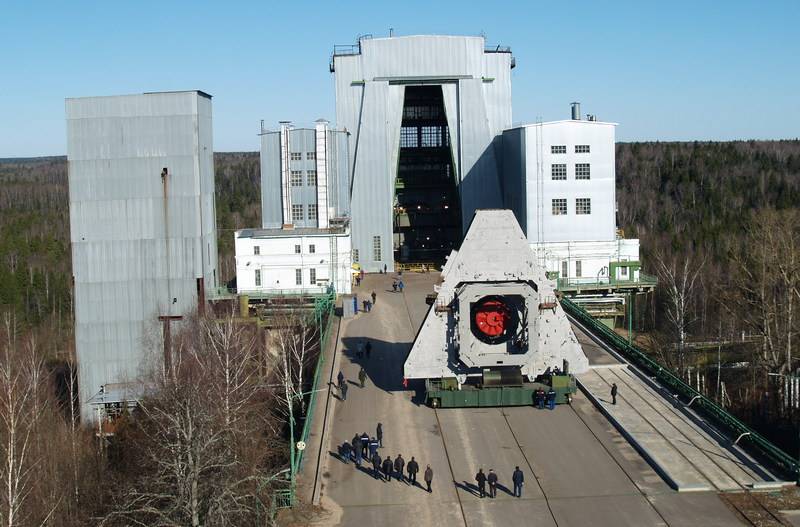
678	282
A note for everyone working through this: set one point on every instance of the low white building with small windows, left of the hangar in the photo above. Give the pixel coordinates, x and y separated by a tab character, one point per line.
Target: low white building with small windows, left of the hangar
292	261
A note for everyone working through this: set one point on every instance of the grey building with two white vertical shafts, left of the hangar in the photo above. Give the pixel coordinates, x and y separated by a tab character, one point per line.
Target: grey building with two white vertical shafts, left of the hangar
304	176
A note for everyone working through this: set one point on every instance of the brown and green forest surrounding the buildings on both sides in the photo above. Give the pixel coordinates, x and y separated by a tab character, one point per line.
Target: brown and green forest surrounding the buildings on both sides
718	223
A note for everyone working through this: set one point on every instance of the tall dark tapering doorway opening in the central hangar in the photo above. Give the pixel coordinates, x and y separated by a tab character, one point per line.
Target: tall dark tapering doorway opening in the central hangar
427	208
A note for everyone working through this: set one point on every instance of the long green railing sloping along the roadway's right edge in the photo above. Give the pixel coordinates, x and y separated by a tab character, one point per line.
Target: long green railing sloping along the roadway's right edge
737	430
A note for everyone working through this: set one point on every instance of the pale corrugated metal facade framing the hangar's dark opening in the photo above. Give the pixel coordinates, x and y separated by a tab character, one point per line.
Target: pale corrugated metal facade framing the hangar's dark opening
477	92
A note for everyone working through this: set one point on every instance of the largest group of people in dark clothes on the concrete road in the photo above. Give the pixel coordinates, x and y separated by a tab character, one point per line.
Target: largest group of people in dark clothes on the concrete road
363	447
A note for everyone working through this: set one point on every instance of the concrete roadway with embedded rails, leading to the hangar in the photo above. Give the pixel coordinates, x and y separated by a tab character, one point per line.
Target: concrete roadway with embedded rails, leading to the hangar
578	469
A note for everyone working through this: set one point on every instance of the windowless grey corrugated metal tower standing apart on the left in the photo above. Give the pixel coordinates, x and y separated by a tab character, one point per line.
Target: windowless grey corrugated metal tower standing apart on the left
142	226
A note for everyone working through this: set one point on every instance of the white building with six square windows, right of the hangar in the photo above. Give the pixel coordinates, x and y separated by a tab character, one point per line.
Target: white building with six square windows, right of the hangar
559	179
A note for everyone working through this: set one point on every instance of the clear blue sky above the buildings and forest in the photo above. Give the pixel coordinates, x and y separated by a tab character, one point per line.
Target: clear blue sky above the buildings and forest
664	71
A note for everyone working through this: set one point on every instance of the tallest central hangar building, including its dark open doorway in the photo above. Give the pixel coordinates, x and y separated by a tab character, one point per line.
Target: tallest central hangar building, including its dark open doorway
425	114
